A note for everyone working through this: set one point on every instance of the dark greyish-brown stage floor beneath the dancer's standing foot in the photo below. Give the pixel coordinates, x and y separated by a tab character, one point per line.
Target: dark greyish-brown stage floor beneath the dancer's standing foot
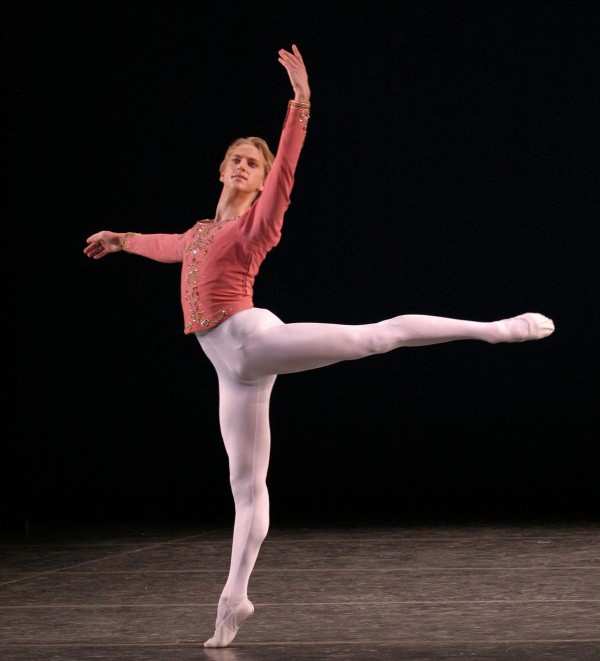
430	592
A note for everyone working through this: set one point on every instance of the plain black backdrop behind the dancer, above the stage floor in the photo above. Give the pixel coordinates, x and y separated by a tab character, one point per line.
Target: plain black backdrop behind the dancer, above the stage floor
450	168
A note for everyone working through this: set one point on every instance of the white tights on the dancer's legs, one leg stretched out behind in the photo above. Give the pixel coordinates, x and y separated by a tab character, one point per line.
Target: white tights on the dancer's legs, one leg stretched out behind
250	348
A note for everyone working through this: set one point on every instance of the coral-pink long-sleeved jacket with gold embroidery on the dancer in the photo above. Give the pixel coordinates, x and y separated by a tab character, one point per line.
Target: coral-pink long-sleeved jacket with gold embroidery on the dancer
220	260
